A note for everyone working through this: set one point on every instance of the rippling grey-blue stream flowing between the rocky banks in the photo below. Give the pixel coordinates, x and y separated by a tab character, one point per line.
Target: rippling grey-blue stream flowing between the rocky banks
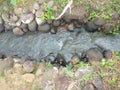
38	45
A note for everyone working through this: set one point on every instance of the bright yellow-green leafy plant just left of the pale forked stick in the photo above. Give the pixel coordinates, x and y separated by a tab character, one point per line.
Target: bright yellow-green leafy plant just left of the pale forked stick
48	14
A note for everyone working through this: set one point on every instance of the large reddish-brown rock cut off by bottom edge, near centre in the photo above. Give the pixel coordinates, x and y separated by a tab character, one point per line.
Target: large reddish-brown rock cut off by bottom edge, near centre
61	82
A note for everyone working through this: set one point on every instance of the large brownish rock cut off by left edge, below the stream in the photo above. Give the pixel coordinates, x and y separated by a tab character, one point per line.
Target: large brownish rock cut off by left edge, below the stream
6	64
